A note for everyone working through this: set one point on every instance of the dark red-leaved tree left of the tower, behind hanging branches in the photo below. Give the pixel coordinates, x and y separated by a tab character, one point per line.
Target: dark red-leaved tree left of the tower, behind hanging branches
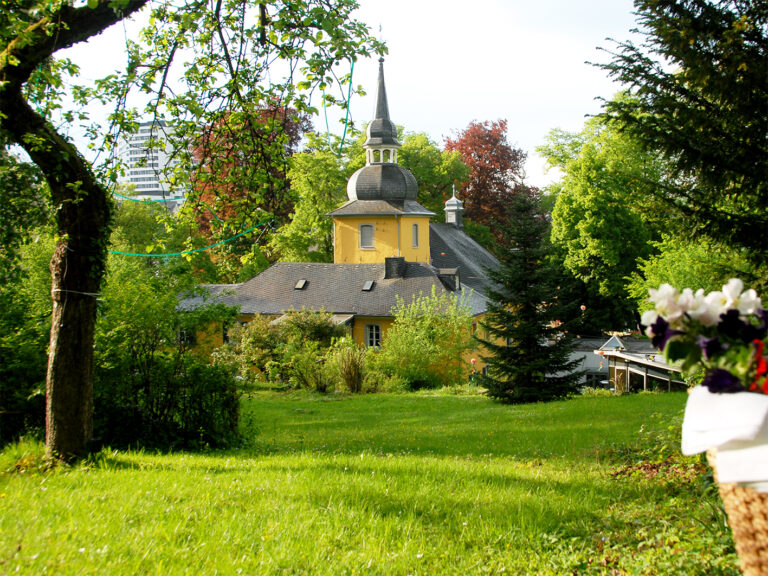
240	181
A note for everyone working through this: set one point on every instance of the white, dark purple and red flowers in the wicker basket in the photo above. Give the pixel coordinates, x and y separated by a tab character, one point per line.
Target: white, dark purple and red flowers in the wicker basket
719	336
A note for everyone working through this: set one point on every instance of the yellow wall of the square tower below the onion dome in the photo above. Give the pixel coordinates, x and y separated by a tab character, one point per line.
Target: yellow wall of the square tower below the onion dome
392	236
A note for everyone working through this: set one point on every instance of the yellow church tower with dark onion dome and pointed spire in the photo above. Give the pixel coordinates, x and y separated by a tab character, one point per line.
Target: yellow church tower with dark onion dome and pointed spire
382	218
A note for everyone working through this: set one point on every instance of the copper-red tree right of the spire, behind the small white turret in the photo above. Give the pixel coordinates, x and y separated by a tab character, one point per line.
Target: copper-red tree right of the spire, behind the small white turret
495	169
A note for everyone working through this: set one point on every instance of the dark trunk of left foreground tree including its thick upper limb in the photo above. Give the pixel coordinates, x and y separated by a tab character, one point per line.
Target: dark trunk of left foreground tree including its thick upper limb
83	212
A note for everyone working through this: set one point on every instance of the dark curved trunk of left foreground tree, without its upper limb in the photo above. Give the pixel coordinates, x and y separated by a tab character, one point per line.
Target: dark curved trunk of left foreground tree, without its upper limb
83	213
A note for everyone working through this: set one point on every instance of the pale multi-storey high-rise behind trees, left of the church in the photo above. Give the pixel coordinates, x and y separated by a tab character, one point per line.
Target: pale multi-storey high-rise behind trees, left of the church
146	166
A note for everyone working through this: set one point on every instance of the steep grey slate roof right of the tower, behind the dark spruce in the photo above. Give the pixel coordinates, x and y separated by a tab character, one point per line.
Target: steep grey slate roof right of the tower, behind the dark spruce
450	247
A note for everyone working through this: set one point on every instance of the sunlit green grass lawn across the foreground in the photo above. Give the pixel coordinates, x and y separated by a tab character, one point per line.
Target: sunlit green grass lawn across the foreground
382	484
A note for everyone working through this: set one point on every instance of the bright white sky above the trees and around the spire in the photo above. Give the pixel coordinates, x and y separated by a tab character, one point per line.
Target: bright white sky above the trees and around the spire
454	61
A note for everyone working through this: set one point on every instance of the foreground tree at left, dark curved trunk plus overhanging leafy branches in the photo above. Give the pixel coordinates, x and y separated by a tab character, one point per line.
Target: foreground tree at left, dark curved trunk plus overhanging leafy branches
229	50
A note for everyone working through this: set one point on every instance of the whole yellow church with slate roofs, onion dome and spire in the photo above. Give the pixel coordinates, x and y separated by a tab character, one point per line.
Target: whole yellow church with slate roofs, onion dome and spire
385	248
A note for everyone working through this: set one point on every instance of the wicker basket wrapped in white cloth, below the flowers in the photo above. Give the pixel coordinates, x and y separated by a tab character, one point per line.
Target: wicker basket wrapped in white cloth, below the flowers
733	430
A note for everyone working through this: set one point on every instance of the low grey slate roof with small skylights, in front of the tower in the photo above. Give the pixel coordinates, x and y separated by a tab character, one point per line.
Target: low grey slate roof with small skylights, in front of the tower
335	288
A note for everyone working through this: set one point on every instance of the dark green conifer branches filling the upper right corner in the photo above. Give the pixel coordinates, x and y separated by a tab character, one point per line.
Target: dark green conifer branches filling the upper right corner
698	96
